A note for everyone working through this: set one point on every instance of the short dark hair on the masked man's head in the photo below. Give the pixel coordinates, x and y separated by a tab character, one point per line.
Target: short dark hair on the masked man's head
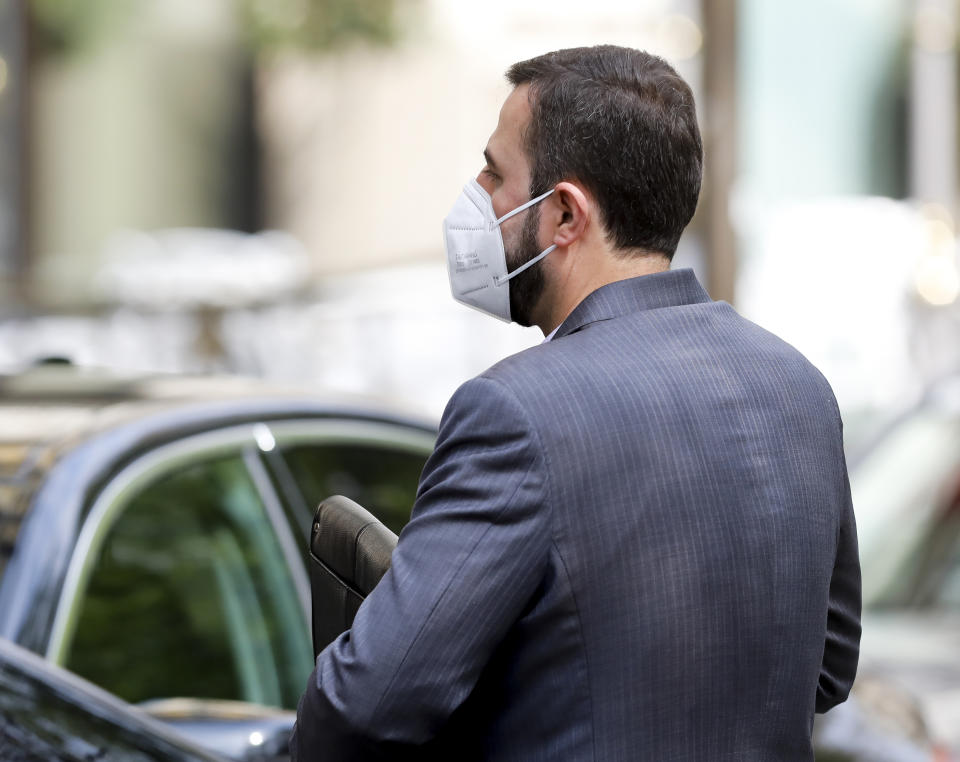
623	123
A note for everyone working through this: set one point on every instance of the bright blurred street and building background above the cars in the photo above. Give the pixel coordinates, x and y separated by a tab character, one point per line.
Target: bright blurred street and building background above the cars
257	186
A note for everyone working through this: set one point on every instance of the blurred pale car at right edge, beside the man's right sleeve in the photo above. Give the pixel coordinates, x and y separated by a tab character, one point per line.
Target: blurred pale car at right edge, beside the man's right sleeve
905	481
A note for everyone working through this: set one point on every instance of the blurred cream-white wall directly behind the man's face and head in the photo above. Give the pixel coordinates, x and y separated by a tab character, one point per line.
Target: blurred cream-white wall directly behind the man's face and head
366	151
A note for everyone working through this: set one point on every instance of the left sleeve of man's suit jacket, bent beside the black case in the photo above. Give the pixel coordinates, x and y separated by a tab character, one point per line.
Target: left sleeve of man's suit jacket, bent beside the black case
464	569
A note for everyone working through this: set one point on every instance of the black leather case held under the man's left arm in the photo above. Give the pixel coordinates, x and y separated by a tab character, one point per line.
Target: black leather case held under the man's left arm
349	554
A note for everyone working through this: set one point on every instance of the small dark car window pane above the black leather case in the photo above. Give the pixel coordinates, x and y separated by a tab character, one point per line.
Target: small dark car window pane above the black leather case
381	479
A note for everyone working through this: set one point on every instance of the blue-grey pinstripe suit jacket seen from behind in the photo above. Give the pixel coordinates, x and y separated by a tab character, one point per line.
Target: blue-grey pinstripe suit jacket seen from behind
634	542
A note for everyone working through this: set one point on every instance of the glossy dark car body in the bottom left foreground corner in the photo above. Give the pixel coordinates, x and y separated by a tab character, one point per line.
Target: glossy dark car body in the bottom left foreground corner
50	715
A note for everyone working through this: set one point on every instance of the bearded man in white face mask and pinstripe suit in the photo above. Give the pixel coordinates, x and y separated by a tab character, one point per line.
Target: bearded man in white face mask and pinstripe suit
634	541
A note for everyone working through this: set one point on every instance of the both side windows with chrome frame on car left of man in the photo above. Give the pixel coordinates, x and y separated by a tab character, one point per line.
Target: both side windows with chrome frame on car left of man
188	578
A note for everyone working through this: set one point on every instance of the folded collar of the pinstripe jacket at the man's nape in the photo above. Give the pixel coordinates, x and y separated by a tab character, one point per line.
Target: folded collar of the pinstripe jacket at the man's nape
670	288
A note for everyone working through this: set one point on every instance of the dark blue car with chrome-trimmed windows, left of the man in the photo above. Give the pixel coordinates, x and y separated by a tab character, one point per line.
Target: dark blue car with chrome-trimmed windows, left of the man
153	535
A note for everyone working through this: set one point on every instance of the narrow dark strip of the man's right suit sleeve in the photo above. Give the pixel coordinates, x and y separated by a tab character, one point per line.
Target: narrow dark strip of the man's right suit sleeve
842	646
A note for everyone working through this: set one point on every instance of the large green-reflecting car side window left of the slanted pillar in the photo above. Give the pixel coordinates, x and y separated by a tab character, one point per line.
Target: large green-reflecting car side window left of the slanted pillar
191	596
